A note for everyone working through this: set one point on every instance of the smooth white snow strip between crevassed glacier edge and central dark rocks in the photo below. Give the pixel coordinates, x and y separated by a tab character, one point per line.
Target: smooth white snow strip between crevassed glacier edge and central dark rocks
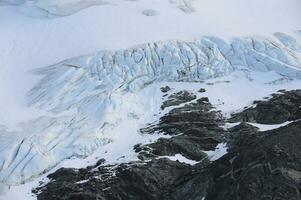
126	133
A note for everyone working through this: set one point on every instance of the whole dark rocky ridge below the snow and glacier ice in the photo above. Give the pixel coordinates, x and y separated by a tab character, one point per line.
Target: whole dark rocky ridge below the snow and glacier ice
258	164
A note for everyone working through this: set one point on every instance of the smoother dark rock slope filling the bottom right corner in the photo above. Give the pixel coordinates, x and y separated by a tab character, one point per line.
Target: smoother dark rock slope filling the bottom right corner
265	166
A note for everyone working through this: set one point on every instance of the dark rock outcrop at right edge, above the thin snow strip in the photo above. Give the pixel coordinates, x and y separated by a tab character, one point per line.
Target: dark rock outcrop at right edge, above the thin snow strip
279	109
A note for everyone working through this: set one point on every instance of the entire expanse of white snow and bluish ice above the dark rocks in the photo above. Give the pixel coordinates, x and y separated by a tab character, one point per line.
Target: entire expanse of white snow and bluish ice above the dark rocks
92	106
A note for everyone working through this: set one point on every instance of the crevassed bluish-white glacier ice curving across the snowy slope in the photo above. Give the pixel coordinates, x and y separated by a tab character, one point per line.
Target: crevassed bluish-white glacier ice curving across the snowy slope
87	97
